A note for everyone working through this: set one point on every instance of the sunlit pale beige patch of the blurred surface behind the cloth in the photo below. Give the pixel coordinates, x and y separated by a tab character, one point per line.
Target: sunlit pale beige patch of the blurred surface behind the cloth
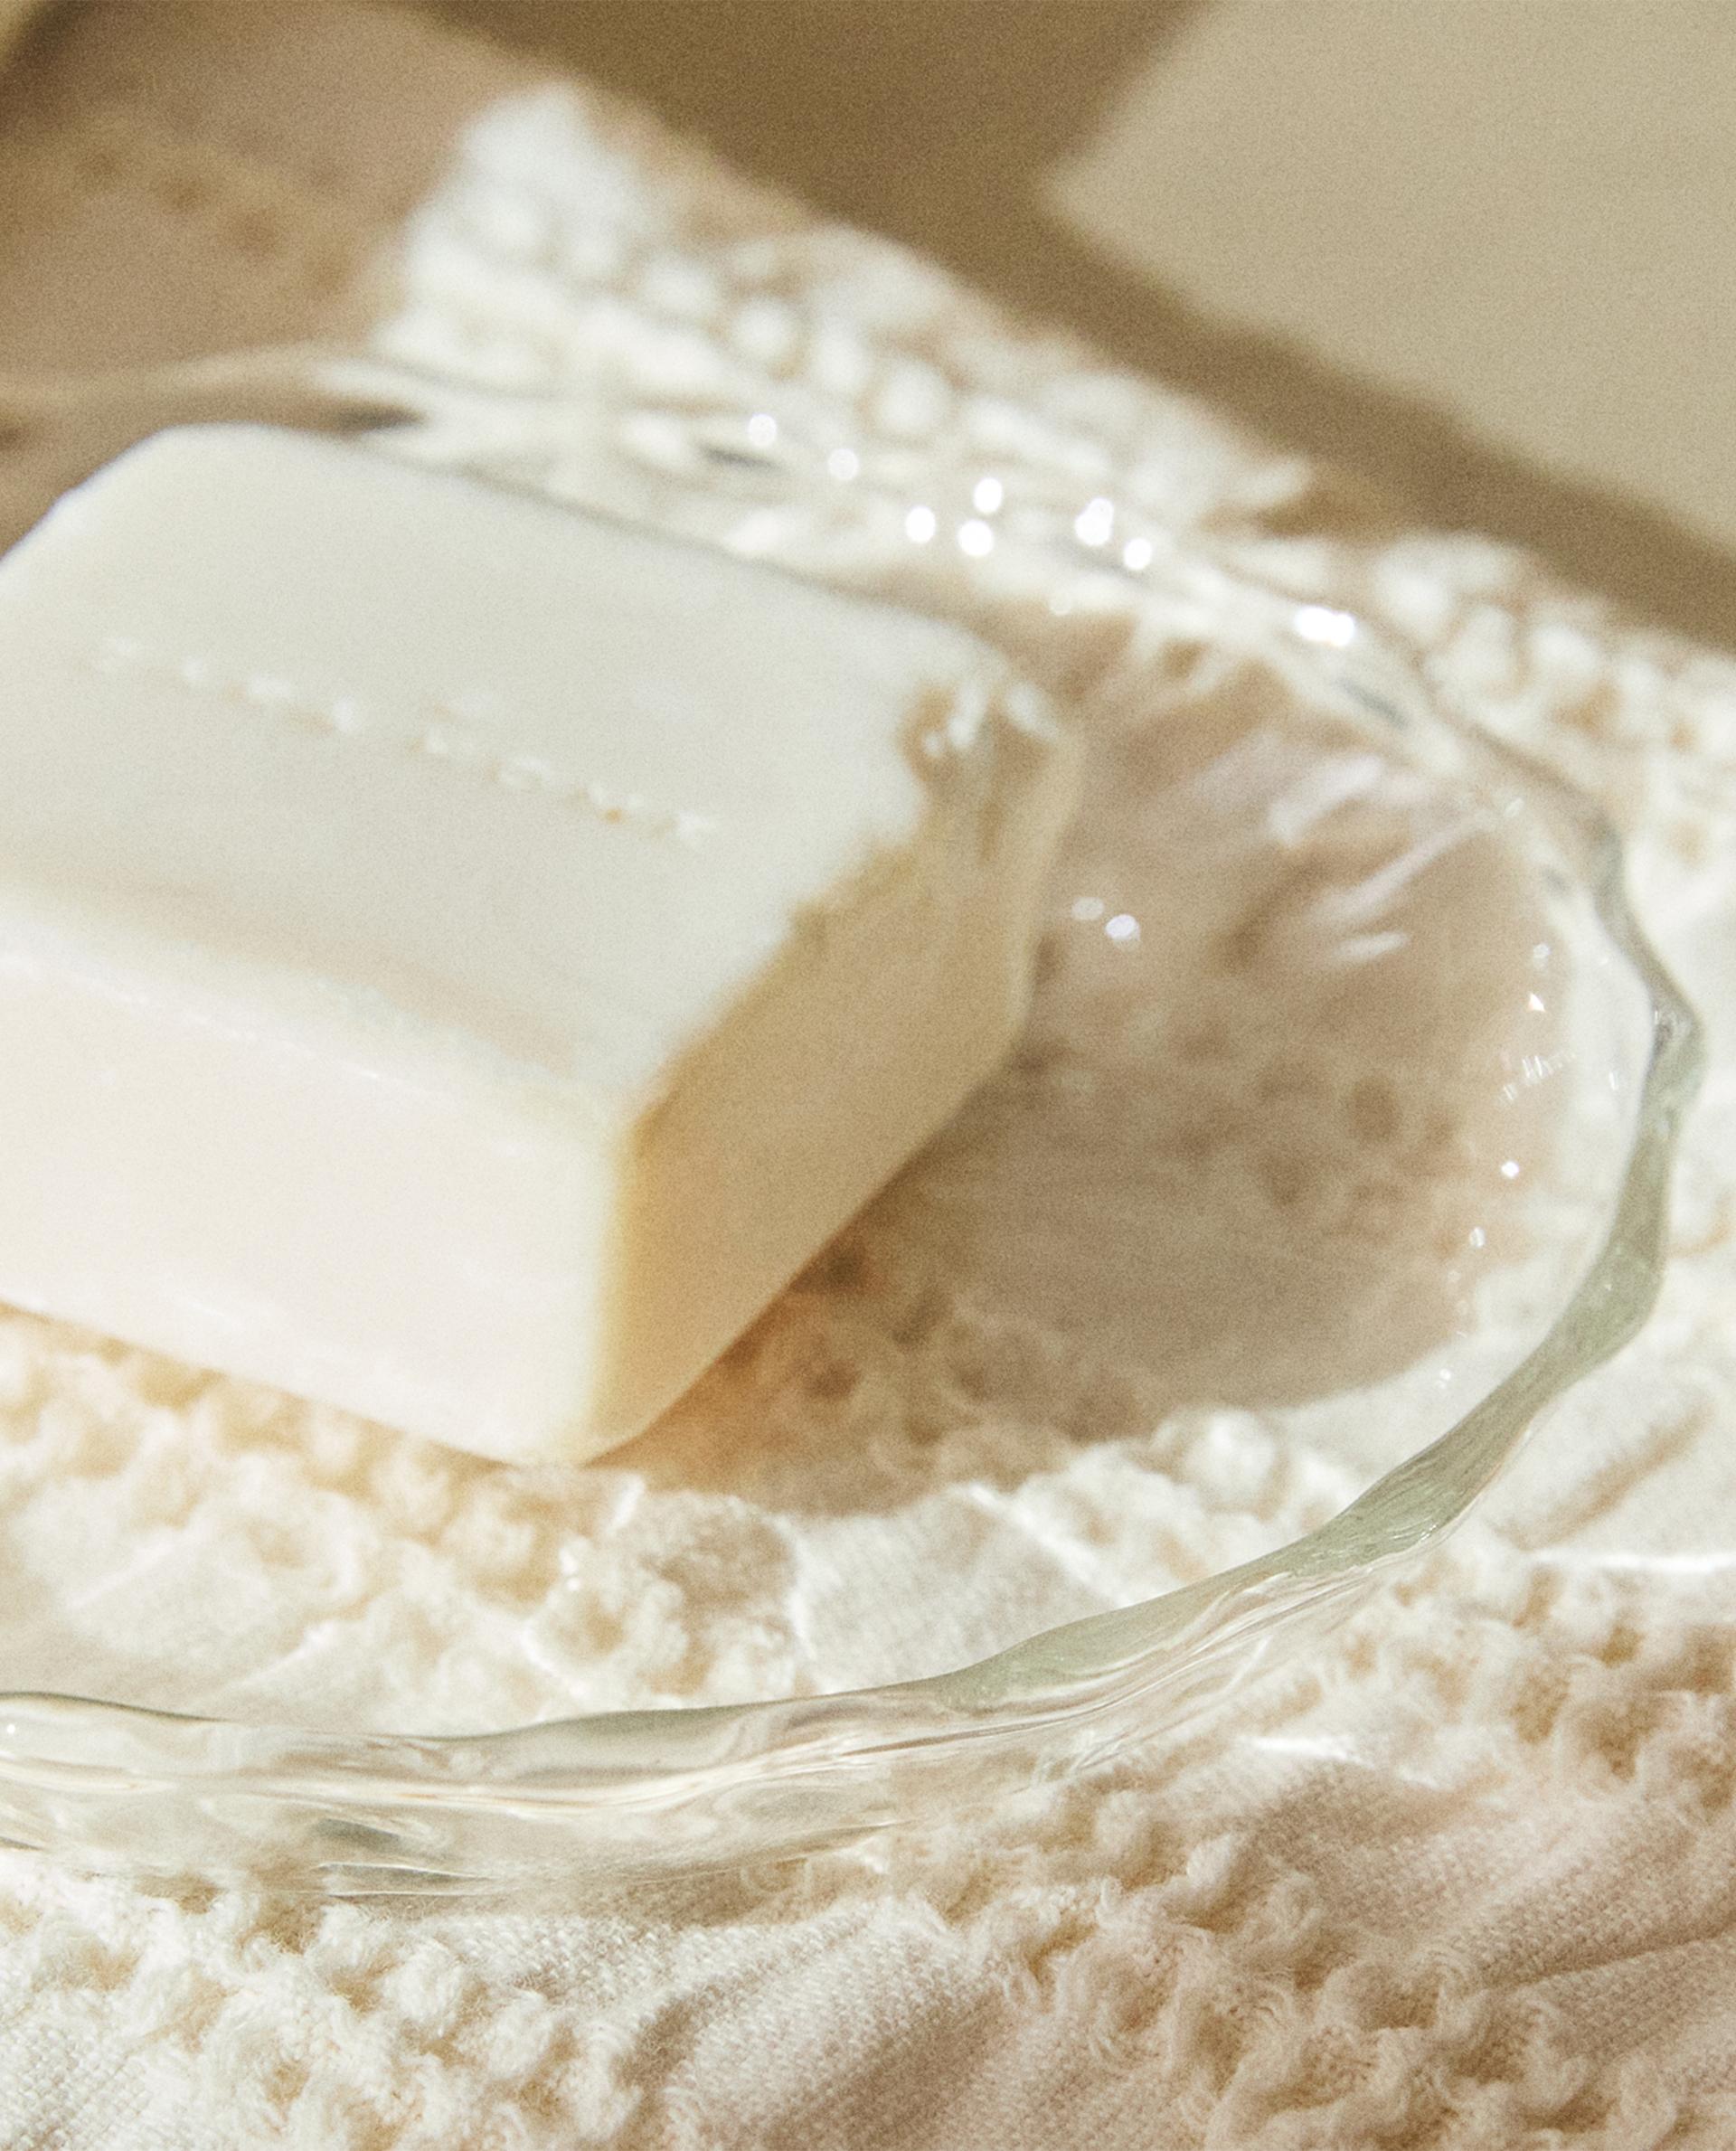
1522	210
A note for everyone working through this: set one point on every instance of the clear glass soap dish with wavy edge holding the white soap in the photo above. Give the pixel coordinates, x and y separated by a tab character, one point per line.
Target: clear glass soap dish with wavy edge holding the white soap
1337	1152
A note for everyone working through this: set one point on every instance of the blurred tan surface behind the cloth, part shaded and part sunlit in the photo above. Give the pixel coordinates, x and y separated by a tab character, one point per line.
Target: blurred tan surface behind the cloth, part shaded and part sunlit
1477	253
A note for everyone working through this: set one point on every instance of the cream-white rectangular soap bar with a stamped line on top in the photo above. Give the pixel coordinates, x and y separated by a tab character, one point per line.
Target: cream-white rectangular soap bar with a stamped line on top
459	958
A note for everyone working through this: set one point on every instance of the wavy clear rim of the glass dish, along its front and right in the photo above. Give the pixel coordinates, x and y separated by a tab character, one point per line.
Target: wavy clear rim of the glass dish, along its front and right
122	1786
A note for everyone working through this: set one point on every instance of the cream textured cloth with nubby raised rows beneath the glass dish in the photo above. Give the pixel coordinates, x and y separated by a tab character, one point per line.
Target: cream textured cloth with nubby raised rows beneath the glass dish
1466	1877
